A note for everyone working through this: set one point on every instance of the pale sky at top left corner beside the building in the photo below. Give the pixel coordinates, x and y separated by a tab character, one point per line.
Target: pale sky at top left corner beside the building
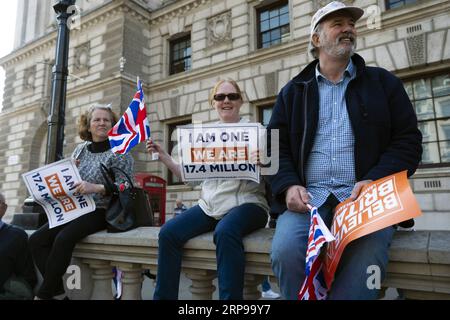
8	10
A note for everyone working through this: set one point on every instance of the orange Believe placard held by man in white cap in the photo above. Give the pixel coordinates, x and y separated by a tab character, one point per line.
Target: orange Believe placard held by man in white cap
382	203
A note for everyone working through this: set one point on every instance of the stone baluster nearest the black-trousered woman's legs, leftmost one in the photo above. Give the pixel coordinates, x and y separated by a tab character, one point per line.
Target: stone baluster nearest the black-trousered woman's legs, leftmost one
101	278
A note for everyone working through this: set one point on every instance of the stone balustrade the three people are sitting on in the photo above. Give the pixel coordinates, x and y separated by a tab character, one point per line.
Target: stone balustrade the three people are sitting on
419	262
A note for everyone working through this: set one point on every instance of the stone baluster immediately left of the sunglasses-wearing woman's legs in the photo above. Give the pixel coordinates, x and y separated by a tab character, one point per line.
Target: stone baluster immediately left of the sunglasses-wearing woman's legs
131	280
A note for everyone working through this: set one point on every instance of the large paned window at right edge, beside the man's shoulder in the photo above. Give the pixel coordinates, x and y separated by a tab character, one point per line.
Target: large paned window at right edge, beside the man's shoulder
431	100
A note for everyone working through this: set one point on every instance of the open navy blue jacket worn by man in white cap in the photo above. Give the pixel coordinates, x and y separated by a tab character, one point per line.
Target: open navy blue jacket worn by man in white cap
384	124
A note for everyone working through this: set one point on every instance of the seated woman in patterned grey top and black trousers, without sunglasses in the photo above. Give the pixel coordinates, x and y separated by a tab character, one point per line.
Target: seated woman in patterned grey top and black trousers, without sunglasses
52	248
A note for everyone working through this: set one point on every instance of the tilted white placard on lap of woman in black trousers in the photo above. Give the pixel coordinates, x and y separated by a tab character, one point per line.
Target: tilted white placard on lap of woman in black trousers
52	186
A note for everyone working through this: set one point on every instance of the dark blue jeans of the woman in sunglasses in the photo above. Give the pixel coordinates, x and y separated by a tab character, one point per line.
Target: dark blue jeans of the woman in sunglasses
230	255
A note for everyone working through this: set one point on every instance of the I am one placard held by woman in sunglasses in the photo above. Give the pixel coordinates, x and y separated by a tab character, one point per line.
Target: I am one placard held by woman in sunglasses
218	151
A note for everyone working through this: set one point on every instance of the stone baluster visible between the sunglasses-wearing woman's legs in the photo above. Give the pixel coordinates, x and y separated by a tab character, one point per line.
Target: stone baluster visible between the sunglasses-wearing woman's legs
202	287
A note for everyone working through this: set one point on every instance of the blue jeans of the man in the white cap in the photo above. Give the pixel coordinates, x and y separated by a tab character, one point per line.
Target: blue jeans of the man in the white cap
289	250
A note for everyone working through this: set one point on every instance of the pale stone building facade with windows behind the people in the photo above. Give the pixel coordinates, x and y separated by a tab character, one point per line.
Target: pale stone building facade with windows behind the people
180	48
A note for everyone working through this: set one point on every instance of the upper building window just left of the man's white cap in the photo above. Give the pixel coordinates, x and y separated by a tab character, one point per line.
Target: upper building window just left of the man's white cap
273	24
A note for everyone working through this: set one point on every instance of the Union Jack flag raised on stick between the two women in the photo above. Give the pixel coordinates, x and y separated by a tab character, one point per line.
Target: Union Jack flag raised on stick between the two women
133	127
